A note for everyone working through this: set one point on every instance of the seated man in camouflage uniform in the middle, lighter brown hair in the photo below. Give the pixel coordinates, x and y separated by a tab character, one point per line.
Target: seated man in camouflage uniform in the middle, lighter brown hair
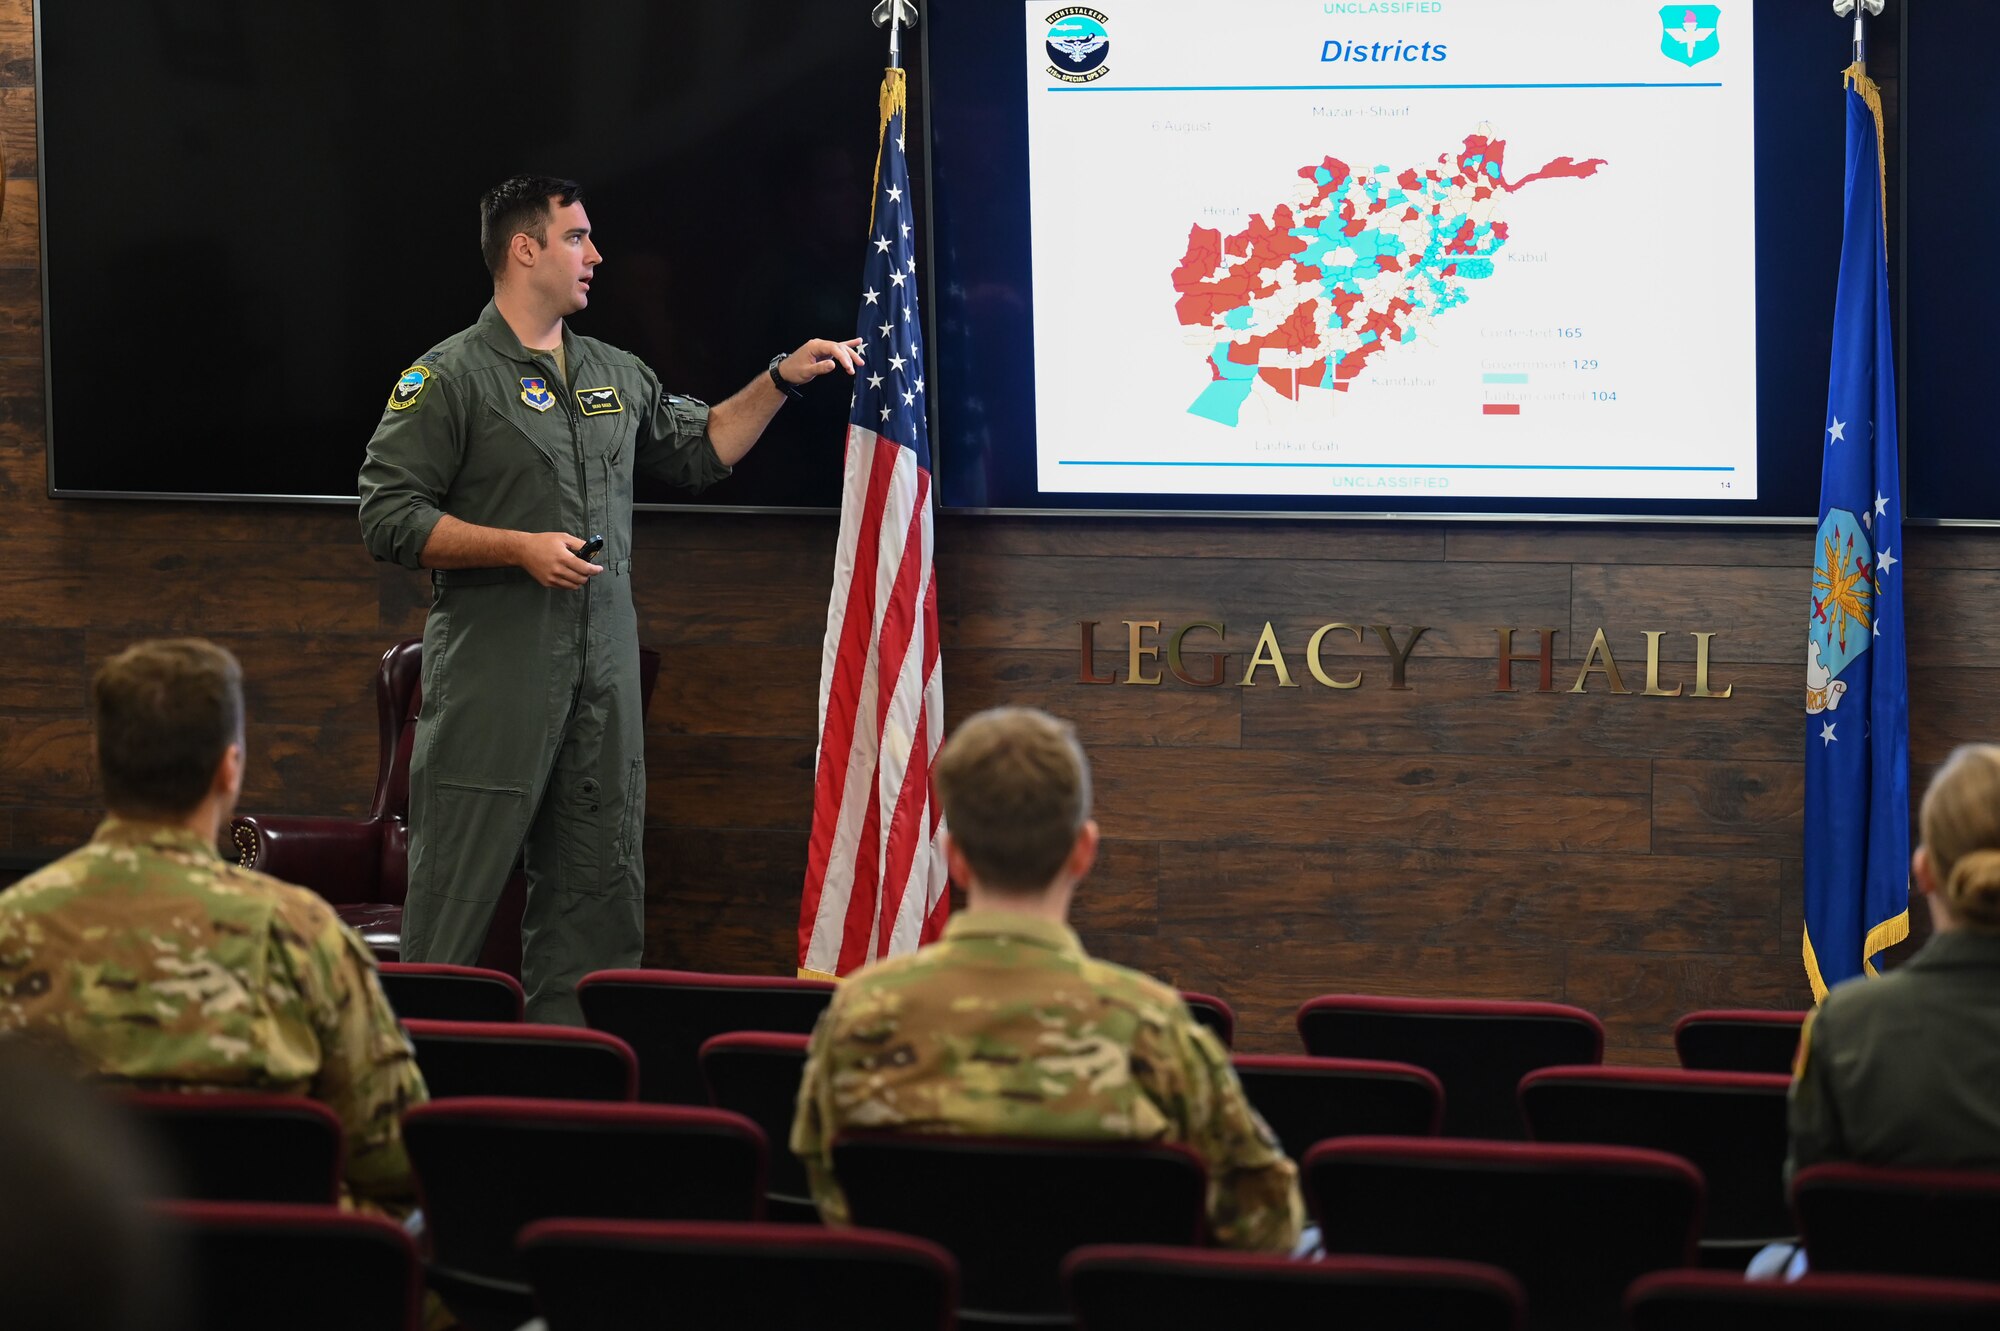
1007	1028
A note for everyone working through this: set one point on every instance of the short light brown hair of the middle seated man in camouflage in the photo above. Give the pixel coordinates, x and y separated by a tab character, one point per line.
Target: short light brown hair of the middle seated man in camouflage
1015	786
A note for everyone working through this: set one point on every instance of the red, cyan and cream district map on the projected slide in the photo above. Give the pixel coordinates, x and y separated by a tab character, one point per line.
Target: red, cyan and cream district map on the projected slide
1347	271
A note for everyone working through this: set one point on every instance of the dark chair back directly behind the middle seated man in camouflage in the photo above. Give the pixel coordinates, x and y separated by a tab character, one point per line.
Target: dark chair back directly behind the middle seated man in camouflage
1011	1210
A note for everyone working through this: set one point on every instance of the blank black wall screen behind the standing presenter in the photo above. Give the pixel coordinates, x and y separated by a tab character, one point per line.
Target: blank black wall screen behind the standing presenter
259	215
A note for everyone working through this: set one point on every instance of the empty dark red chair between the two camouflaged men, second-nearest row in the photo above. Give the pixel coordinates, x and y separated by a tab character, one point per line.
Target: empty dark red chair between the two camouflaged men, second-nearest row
487	1168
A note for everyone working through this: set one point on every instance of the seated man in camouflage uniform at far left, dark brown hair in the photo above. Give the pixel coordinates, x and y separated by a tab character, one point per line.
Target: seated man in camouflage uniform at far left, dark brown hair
157	964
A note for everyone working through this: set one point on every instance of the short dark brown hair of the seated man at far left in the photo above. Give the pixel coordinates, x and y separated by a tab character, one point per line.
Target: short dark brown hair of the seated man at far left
165	714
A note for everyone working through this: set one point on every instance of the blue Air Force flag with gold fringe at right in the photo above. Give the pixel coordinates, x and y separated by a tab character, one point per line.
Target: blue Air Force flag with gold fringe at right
1857	684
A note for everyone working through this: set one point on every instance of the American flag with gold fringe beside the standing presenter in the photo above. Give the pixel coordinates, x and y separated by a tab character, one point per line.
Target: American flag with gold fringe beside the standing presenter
877	880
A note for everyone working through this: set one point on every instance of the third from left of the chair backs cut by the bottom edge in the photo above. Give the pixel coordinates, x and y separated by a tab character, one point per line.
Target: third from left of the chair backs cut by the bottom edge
1131	1288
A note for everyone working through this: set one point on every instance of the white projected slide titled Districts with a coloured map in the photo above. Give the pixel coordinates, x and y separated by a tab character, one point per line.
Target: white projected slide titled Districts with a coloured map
1421	249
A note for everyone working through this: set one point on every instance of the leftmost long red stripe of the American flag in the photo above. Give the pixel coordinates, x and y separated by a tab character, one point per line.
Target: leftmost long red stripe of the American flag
843	698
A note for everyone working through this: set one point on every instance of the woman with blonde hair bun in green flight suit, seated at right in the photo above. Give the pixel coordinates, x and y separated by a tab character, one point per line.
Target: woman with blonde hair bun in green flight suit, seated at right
1905	1070
